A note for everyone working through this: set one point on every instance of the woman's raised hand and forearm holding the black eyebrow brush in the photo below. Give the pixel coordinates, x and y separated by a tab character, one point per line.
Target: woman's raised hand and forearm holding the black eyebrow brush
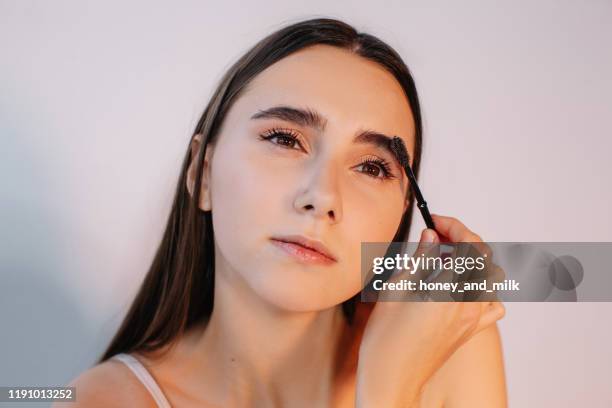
405	342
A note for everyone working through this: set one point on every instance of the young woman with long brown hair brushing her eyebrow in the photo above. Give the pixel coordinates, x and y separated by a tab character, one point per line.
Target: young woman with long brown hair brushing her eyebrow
235	311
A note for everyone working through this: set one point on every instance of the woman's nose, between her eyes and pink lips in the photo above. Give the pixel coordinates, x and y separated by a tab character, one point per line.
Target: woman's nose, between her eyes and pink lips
321	196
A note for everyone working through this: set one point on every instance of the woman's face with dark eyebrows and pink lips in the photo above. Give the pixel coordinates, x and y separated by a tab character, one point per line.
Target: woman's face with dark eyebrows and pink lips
311	178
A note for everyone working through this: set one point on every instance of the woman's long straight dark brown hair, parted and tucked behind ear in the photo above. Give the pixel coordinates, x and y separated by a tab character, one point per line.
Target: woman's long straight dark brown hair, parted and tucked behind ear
177	291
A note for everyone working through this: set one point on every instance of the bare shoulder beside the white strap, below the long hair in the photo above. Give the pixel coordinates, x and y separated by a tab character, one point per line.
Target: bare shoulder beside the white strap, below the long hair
108	384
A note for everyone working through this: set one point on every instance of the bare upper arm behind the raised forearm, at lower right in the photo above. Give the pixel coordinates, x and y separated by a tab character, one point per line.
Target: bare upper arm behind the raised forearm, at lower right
474	375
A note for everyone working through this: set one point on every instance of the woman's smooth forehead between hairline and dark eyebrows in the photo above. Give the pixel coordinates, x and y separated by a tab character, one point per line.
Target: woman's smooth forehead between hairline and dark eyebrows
350	91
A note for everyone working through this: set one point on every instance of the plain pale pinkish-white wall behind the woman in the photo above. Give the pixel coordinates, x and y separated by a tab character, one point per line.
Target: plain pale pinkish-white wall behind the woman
98	101
